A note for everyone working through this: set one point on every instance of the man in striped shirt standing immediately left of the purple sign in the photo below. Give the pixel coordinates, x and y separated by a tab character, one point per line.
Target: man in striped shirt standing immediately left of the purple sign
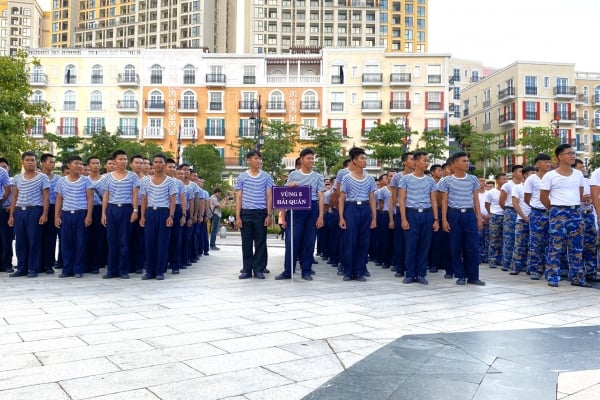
253	209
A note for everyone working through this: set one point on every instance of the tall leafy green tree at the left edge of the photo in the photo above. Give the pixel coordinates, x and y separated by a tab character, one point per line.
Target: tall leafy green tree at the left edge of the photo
17	113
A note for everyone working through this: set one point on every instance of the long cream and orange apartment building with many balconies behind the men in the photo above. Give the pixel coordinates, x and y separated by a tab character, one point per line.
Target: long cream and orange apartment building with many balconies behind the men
174	97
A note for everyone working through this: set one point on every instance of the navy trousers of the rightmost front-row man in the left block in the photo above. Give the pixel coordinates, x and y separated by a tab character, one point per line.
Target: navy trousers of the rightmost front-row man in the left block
157	242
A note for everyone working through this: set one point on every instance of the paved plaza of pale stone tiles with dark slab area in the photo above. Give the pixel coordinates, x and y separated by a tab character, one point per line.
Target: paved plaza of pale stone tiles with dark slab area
205	334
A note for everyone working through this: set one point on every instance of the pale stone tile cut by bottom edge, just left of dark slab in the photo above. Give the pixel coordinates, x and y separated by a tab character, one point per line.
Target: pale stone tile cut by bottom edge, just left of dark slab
221	386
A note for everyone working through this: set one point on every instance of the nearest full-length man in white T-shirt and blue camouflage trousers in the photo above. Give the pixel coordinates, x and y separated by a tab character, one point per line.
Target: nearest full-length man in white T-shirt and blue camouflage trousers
561	193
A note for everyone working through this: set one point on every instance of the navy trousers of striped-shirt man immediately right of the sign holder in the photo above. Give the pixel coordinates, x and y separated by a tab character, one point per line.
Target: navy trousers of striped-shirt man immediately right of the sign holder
356	238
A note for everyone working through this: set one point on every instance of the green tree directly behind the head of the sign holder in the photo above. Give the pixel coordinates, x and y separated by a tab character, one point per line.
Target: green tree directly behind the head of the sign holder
326	142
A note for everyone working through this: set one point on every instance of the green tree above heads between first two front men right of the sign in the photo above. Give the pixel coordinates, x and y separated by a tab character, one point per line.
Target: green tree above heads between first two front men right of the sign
388	141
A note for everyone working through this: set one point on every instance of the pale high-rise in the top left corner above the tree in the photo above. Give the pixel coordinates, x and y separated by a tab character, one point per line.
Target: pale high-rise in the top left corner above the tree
21	26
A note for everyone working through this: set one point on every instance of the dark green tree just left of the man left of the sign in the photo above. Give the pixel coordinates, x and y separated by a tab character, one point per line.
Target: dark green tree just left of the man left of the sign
207	162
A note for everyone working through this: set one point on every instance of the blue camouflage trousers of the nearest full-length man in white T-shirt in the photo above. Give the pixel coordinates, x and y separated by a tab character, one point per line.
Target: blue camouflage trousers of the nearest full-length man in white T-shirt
565	233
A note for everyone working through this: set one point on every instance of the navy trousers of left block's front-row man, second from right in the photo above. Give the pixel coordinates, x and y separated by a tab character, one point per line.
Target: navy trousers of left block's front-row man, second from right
118	233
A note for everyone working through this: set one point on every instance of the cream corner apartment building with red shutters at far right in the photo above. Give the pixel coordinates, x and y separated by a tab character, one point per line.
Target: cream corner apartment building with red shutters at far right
533	94
